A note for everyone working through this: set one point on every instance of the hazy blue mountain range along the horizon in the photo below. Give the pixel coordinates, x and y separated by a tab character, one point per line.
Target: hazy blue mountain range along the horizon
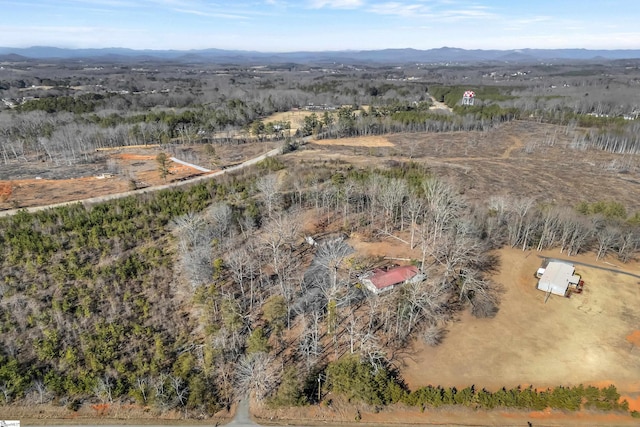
383	56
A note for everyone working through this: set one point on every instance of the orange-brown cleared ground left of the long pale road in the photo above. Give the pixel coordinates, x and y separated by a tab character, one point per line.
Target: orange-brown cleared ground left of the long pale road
29	184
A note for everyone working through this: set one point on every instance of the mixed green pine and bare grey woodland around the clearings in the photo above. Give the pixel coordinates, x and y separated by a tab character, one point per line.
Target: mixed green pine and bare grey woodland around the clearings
182	299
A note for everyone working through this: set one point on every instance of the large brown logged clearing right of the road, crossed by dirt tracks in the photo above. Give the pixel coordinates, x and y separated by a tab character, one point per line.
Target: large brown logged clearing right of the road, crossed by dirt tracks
519	159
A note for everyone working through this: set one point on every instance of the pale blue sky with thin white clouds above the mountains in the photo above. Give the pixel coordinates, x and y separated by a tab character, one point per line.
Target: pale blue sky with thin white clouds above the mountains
320	25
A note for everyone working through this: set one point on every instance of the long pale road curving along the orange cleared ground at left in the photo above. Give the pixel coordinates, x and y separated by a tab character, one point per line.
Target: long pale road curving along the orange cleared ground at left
108	197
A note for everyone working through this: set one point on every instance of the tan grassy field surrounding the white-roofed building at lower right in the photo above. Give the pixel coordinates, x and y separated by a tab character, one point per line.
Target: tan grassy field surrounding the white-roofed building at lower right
588	338
